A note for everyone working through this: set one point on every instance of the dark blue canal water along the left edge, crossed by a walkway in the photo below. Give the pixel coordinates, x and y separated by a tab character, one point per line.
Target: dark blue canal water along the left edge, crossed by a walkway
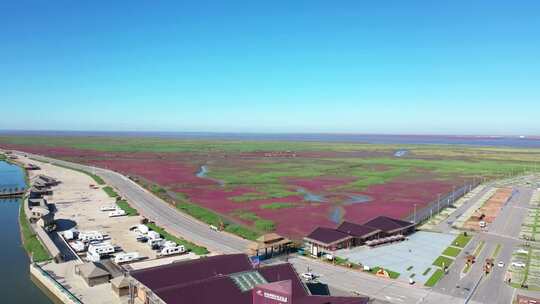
16	285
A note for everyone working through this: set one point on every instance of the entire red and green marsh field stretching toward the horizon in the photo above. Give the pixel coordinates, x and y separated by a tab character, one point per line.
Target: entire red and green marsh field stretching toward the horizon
286	187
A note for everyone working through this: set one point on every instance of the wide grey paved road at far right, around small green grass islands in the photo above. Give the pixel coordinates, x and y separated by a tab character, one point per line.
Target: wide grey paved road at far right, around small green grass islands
504	231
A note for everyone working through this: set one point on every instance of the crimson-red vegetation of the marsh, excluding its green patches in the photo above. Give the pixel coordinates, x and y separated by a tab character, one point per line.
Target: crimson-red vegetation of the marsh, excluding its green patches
177	171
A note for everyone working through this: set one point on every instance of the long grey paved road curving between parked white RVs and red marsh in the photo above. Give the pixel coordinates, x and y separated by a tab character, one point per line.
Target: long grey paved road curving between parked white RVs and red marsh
162	213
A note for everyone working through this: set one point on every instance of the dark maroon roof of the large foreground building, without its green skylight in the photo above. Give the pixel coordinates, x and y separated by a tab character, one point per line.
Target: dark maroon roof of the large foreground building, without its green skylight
198	281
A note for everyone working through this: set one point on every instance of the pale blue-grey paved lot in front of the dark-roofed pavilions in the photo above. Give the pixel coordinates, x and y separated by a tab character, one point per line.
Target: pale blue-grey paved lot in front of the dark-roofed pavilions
413	256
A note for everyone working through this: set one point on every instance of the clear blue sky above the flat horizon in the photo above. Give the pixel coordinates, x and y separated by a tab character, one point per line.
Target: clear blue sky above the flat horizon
451	67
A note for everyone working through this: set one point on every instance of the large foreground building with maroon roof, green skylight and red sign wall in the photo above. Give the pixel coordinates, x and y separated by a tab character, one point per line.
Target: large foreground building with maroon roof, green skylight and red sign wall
224	279
